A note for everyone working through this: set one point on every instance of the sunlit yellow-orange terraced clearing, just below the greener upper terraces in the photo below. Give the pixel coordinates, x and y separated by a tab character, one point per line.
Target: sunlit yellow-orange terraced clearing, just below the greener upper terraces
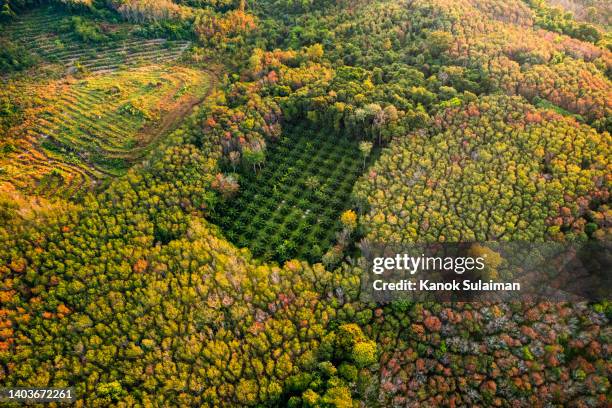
98	125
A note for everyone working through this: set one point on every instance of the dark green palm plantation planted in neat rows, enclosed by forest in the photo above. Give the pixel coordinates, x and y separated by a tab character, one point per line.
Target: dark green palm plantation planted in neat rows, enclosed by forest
291	208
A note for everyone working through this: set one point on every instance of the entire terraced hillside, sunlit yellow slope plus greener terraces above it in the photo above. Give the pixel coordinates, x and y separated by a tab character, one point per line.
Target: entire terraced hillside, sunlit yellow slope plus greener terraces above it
104	109
